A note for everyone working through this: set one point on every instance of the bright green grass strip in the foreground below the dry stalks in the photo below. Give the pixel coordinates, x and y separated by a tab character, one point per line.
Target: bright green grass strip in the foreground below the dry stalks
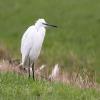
17	87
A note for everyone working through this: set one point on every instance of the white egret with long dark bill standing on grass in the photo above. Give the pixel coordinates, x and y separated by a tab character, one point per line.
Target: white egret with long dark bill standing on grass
31	43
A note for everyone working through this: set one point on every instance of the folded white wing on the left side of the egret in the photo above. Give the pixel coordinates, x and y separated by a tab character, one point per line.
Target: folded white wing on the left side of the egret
26	42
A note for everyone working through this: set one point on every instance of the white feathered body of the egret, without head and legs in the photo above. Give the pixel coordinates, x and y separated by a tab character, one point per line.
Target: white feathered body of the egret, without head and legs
31	43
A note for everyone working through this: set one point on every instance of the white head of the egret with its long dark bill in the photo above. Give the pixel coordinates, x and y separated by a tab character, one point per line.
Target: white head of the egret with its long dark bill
43	23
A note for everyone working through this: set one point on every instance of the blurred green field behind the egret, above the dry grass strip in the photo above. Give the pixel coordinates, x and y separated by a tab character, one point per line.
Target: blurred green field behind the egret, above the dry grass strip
78	32
